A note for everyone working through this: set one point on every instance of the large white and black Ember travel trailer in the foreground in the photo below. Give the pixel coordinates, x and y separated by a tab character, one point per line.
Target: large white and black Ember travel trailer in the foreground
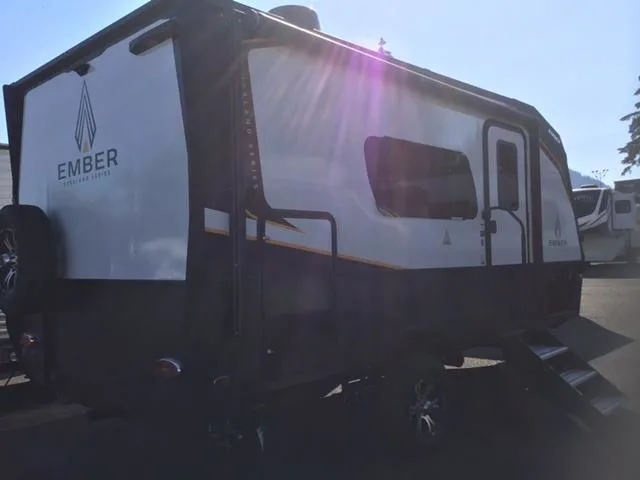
218	210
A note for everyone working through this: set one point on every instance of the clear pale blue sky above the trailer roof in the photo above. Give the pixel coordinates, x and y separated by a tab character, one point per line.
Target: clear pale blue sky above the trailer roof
576	61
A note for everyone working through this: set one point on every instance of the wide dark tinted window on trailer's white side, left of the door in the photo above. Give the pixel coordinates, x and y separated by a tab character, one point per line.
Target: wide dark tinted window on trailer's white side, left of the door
419	181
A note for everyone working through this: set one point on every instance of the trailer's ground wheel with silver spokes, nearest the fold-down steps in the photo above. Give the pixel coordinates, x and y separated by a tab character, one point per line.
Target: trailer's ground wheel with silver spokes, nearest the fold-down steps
413	410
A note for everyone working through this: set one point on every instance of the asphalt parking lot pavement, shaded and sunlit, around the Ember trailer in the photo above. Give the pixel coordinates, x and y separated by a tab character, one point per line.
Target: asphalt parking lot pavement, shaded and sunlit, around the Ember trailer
499	431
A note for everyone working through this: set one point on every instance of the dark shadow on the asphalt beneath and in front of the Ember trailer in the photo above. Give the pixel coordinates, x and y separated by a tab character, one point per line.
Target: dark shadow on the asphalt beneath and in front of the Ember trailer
498	431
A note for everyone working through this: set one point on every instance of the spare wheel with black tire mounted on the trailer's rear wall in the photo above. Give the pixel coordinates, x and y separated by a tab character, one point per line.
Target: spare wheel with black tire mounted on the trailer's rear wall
27	259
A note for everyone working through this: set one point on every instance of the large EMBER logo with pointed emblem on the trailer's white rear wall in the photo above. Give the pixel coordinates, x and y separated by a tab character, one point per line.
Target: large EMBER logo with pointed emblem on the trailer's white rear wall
91	165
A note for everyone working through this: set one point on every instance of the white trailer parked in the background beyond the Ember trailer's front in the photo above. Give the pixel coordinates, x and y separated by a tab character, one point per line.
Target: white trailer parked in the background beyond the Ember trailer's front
609	223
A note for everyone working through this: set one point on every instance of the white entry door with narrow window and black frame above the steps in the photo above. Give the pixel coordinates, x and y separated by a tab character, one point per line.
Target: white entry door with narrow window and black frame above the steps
506	198
